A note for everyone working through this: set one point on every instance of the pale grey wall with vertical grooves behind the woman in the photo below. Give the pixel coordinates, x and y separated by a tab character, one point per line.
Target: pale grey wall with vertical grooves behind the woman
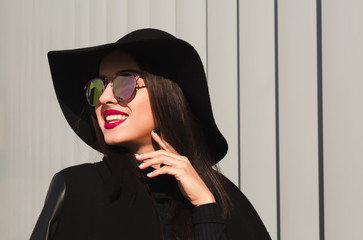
286	81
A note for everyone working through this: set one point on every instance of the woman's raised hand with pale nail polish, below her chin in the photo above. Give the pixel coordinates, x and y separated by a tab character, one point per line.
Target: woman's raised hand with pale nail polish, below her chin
189	181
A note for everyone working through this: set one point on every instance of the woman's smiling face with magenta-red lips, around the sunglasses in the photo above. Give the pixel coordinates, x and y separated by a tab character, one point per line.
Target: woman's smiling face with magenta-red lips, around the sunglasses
133	130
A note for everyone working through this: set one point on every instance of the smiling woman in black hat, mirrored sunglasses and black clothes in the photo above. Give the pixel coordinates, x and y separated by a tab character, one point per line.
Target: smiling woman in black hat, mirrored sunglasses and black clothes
147	109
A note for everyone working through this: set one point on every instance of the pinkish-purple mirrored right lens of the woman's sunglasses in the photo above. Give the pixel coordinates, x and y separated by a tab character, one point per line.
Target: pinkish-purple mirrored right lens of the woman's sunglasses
124	87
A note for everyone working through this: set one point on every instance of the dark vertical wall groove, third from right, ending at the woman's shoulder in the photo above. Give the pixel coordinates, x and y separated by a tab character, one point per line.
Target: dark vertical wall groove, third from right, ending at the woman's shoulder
238	103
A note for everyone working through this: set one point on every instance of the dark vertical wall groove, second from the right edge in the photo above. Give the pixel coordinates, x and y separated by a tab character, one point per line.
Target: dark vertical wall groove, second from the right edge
277	123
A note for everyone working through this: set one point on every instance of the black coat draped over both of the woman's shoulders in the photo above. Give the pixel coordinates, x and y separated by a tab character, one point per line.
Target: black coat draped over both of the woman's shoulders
78	207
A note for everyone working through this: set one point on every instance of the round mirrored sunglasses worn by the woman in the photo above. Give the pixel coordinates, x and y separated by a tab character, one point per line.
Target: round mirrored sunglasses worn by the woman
123	87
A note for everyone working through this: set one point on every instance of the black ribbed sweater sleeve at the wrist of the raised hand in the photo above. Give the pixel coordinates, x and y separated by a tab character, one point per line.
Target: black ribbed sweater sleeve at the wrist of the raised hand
208	222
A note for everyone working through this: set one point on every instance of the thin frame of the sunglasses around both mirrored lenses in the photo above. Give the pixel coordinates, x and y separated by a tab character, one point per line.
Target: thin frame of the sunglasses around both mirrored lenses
109	80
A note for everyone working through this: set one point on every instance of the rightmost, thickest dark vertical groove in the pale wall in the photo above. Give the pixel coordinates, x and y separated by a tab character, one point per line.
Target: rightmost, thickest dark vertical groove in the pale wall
320	120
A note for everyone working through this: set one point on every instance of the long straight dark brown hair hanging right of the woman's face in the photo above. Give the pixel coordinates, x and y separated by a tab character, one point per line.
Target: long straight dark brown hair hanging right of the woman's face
177	125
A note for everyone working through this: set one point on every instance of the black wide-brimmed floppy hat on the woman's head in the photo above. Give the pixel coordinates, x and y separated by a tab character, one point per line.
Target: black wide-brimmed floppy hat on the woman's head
168	56
